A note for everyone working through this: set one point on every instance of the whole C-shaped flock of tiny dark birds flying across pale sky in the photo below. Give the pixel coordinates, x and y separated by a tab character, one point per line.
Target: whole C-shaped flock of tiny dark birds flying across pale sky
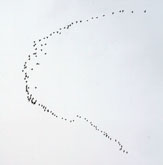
38	48
